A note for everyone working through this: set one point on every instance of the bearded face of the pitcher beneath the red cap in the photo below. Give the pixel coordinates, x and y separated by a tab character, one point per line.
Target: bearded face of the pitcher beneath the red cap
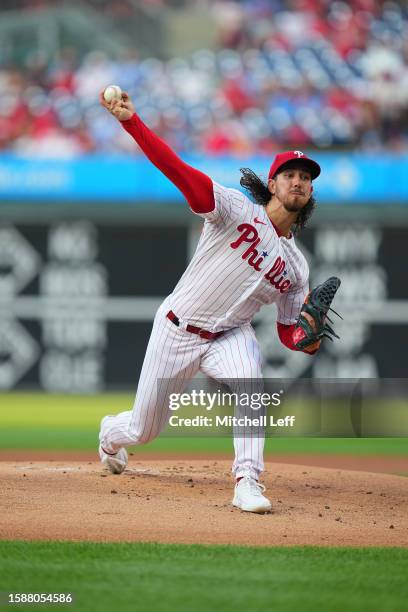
292	187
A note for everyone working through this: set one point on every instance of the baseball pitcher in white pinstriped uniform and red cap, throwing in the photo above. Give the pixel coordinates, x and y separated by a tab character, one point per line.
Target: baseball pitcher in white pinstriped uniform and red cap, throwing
246	257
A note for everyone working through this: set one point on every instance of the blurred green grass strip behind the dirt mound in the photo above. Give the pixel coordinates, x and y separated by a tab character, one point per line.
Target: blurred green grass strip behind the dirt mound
63	422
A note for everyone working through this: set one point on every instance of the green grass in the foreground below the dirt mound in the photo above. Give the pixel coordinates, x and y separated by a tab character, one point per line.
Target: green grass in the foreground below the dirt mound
165	578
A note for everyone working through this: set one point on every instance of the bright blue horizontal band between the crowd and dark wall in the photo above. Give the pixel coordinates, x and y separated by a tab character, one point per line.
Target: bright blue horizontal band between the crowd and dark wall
354	178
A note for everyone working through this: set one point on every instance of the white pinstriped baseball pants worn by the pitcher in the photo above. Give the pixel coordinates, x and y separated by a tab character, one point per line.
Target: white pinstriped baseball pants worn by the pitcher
173	357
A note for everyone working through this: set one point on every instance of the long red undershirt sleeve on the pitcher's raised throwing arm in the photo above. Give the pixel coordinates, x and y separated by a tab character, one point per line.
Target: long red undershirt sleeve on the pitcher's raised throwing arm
196	186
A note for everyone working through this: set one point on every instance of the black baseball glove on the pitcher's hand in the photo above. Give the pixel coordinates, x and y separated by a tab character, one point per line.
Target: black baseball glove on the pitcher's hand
311	325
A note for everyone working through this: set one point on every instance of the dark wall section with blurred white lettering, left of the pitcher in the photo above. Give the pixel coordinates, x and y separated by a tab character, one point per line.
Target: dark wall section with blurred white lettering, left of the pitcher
77	301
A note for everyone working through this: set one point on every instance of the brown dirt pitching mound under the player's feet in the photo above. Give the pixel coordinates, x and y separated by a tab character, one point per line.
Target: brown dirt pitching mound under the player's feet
189	502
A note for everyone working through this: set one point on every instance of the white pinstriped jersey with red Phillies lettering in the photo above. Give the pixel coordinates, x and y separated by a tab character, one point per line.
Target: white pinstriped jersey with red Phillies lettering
240	264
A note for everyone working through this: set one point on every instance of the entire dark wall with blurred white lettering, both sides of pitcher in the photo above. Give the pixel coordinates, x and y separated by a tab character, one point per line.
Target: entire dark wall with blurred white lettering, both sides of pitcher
77	300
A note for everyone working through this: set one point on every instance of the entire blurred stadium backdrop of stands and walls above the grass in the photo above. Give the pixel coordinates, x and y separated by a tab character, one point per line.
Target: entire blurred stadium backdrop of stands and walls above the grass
92	237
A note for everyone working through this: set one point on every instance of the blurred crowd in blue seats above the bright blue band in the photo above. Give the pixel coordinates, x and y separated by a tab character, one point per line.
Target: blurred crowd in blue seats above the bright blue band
295	73
